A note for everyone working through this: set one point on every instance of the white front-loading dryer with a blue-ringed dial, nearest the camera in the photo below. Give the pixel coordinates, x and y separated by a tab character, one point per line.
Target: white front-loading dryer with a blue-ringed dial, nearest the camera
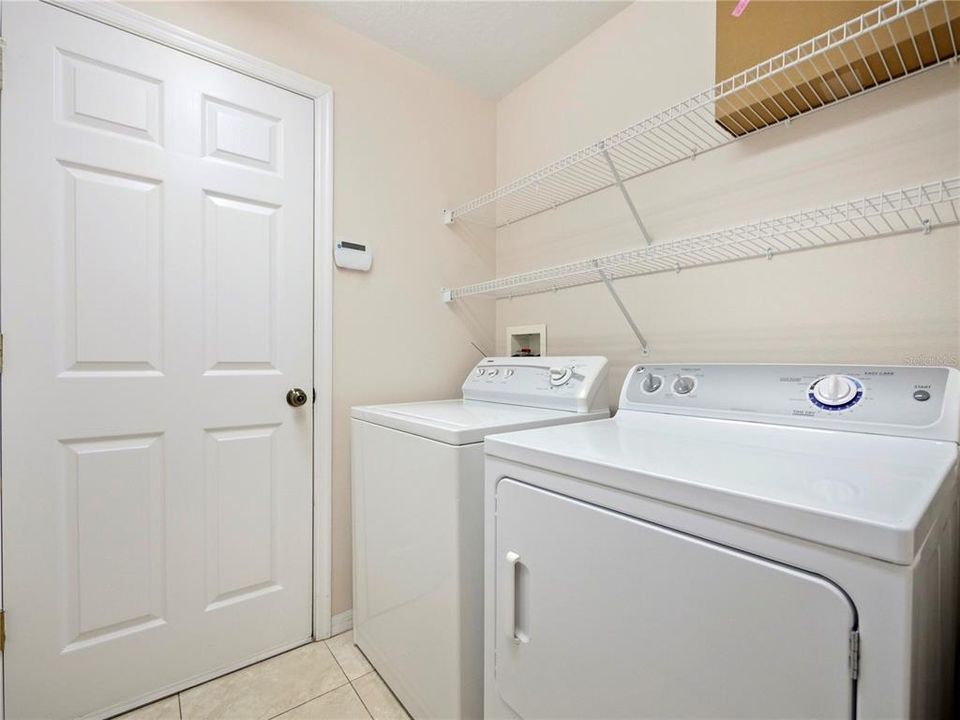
740	541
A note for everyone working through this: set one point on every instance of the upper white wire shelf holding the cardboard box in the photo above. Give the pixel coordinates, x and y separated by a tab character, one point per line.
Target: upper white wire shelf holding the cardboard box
898	39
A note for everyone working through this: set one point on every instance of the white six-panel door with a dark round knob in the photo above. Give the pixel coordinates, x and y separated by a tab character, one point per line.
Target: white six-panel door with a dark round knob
156	304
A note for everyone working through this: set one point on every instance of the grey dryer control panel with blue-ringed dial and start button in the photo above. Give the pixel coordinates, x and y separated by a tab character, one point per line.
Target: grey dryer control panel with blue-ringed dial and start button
909	401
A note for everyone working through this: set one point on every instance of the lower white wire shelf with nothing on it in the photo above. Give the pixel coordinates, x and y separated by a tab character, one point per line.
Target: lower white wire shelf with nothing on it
920	208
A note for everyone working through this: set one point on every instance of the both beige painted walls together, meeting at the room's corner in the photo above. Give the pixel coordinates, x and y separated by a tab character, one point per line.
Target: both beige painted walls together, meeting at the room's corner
408	143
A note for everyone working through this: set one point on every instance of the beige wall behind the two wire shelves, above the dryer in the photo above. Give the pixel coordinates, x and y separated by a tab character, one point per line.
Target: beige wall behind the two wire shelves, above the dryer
882	301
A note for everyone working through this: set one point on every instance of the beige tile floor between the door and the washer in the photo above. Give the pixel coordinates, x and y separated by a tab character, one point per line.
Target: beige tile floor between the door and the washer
329	680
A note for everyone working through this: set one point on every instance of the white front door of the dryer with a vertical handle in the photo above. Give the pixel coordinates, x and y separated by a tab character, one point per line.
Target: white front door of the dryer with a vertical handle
600	615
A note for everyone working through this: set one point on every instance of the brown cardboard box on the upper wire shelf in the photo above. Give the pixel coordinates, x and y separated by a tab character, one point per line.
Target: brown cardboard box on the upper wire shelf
769	27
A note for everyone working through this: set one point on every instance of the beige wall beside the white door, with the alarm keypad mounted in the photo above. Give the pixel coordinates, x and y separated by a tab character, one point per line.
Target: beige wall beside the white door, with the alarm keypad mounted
407	143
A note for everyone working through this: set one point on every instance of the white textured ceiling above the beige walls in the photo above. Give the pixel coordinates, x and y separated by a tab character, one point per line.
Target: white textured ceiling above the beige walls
489	46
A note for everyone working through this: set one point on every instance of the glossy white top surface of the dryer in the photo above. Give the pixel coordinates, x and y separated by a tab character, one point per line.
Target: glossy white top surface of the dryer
873	495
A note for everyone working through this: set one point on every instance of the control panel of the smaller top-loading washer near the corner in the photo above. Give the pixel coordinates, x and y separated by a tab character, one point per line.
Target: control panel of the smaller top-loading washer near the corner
577	384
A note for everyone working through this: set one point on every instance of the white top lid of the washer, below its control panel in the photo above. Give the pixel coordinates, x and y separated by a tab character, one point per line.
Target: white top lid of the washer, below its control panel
461	422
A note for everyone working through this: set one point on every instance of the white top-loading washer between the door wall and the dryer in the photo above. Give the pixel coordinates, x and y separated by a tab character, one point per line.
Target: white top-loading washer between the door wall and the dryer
418	521
